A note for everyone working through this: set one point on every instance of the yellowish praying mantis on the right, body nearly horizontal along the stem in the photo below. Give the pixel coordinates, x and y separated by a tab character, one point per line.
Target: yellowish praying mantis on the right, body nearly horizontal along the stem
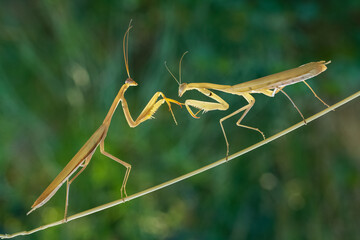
269	85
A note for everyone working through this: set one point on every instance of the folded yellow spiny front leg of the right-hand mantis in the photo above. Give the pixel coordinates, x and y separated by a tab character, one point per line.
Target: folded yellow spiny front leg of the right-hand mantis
206	106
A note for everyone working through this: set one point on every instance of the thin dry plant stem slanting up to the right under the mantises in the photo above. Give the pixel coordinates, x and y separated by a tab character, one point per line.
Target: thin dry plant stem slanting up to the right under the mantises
183	177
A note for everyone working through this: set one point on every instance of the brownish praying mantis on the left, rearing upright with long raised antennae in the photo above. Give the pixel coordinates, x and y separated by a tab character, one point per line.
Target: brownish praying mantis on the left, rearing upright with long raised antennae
84	155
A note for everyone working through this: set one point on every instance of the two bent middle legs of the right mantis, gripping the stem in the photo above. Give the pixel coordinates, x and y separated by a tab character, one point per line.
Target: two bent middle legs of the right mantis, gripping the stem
251	100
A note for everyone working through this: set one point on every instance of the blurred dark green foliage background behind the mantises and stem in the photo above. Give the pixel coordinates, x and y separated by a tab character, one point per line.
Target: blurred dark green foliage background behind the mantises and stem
61	65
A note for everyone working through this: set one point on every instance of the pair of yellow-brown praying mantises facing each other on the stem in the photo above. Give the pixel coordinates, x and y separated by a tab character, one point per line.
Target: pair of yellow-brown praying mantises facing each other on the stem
269	86
